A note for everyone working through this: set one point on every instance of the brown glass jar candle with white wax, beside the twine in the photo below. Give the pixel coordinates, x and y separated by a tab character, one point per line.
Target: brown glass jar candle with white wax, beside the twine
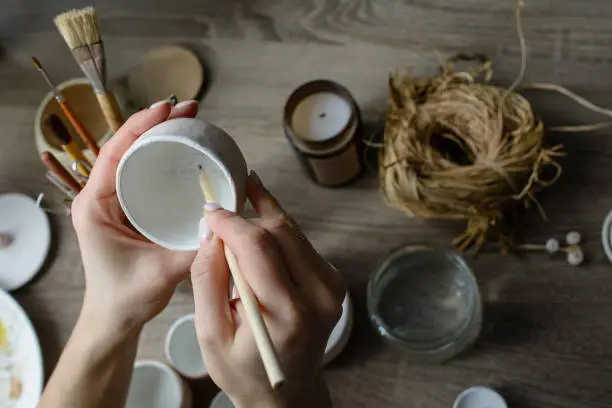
323	125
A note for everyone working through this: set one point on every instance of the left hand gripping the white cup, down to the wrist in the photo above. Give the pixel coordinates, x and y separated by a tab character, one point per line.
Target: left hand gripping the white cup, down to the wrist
129	280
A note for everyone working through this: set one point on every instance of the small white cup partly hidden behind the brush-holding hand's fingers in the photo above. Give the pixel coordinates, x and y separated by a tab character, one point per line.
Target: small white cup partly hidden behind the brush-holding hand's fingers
182	348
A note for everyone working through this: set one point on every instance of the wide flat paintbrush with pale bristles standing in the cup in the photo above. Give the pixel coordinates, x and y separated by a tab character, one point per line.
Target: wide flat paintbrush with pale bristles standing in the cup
82	34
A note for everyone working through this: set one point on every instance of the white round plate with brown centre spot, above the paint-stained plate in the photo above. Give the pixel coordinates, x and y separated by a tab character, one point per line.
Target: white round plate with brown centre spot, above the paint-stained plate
28	224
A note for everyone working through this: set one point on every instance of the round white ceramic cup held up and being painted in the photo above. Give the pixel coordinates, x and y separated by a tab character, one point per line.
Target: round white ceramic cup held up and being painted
157	180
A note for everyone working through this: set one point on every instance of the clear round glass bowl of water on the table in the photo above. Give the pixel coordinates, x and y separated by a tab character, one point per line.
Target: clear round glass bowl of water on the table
426	301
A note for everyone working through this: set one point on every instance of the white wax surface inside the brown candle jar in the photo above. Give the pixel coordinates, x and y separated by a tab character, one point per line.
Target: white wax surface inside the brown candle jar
320	116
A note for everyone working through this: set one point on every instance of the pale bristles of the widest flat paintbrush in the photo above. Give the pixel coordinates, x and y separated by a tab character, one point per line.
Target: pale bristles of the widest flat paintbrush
78	27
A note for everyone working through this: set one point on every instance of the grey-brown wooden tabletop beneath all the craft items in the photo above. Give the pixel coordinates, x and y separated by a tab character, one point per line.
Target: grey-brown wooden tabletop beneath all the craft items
546	339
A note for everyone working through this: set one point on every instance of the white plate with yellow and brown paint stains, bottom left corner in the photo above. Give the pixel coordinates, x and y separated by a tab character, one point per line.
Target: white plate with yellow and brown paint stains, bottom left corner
24	359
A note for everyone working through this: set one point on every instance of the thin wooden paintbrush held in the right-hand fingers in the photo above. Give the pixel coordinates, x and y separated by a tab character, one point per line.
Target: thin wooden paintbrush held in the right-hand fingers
261	334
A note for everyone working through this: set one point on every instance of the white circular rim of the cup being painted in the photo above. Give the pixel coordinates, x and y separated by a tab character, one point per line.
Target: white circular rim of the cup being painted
142	143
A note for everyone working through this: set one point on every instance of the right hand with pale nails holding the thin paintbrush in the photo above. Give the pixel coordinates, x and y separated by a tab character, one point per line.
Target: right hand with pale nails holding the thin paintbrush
300	297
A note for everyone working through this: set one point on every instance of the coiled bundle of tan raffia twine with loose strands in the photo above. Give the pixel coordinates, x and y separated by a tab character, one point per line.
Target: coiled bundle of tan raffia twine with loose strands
456	148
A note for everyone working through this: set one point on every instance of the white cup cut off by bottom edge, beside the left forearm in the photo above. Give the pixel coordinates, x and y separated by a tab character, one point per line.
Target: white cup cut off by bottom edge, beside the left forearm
156	385
